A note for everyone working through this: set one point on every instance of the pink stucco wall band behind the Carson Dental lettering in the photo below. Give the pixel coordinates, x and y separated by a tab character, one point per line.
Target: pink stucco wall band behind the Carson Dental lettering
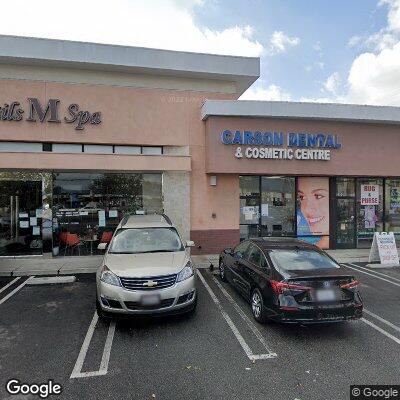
367	149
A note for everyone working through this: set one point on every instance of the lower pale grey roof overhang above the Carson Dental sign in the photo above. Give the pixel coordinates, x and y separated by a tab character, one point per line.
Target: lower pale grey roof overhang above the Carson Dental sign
297	110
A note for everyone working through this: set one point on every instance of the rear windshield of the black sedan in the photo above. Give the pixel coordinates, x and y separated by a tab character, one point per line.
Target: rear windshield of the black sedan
301	260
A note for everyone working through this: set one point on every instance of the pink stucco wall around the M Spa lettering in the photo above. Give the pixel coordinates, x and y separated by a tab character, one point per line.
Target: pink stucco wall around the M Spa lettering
129	116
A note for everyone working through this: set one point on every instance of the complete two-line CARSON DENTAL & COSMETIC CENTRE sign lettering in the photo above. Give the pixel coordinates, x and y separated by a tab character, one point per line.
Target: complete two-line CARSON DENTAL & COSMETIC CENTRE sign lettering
277	145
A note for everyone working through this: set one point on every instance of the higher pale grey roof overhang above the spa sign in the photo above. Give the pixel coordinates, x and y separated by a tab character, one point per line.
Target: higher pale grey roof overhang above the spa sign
104	57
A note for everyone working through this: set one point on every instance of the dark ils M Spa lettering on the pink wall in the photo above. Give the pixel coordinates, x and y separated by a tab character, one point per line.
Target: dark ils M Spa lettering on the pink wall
49	113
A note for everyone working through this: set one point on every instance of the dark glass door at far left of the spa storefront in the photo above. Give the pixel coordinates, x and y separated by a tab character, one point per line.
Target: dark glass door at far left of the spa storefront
20	218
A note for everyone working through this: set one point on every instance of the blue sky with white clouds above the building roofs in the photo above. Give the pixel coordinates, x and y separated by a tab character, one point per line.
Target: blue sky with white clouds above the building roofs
345	51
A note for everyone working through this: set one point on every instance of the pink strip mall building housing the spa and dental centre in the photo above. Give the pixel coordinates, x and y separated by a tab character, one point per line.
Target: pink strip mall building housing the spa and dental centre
90	132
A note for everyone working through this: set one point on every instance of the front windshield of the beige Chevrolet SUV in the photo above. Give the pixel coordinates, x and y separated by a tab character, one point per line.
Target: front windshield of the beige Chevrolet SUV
146	240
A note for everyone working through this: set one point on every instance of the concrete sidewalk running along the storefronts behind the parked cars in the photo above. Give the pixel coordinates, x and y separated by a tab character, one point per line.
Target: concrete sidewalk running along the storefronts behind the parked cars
89	264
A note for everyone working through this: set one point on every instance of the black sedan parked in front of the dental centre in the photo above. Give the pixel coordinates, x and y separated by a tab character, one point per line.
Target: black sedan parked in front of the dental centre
289	280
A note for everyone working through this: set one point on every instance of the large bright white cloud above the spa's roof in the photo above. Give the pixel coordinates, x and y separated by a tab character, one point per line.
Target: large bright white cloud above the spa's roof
166	24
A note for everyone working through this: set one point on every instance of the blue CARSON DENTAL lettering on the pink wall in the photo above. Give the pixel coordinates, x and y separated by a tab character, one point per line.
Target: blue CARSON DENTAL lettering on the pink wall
277	139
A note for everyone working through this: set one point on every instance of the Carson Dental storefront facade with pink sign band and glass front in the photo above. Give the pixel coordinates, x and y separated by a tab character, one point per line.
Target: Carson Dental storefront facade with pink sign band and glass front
327	174
